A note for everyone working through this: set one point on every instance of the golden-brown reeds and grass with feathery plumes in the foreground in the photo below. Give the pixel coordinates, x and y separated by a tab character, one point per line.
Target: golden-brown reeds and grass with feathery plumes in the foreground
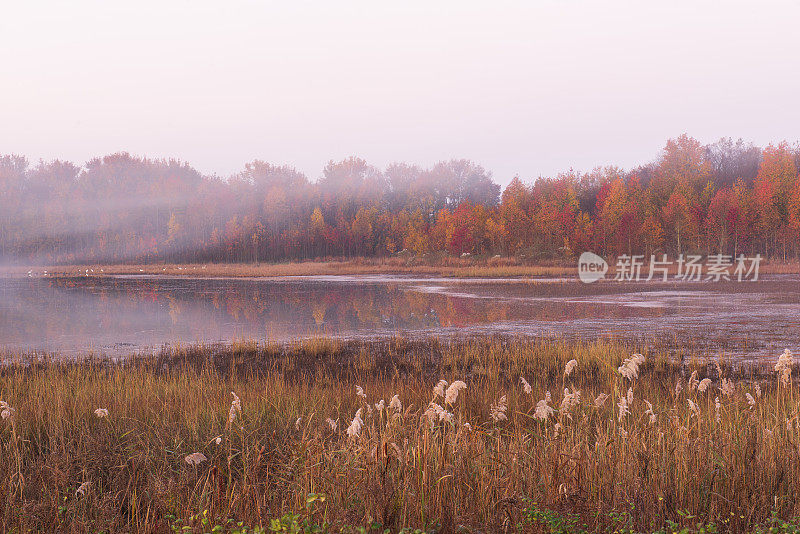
486	434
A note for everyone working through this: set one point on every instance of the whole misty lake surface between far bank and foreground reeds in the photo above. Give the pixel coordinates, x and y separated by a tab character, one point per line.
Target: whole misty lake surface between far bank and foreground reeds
125	314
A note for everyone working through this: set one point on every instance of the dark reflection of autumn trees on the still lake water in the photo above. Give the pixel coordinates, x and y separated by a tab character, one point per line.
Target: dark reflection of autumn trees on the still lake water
202	309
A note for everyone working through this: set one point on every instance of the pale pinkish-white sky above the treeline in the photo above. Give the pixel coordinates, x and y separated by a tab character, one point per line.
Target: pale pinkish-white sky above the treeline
528	88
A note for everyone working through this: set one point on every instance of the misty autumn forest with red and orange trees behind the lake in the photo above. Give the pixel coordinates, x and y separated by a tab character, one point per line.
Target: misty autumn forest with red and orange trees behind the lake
729	197
